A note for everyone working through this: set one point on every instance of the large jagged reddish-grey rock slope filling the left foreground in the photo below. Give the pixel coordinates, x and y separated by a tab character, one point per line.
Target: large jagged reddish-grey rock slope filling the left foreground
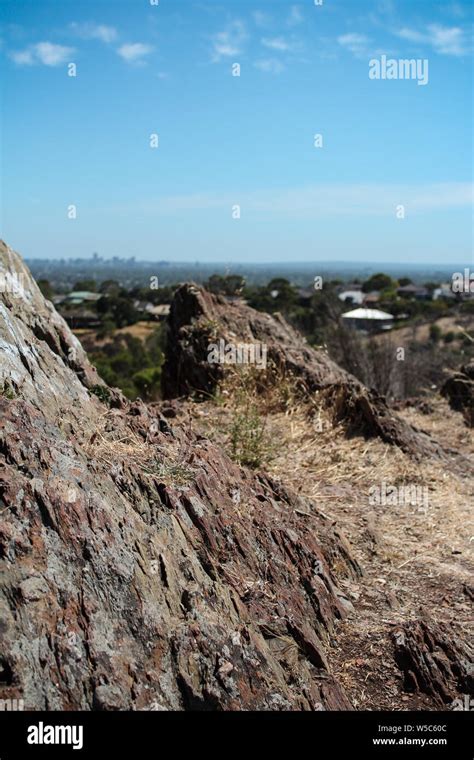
140	568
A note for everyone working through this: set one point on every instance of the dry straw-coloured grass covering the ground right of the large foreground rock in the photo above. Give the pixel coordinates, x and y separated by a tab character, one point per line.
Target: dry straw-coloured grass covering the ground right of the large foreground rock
416	558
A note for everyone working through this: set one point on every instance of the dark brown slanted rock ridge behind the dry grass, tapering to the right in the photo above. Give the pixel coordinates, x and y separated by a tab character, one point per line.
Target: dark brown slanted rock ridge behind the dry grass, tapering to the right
198	319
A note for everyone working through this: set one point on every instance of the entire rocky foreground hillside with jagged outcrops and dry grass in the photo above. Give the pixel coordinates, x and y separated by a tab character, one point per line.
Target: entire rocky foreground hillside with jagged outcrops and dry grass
145	566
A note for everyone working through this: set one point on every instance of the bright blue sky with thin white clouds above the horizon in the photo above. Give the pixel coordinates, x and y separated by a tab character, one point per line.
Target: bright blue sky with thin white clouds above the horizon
245	140
